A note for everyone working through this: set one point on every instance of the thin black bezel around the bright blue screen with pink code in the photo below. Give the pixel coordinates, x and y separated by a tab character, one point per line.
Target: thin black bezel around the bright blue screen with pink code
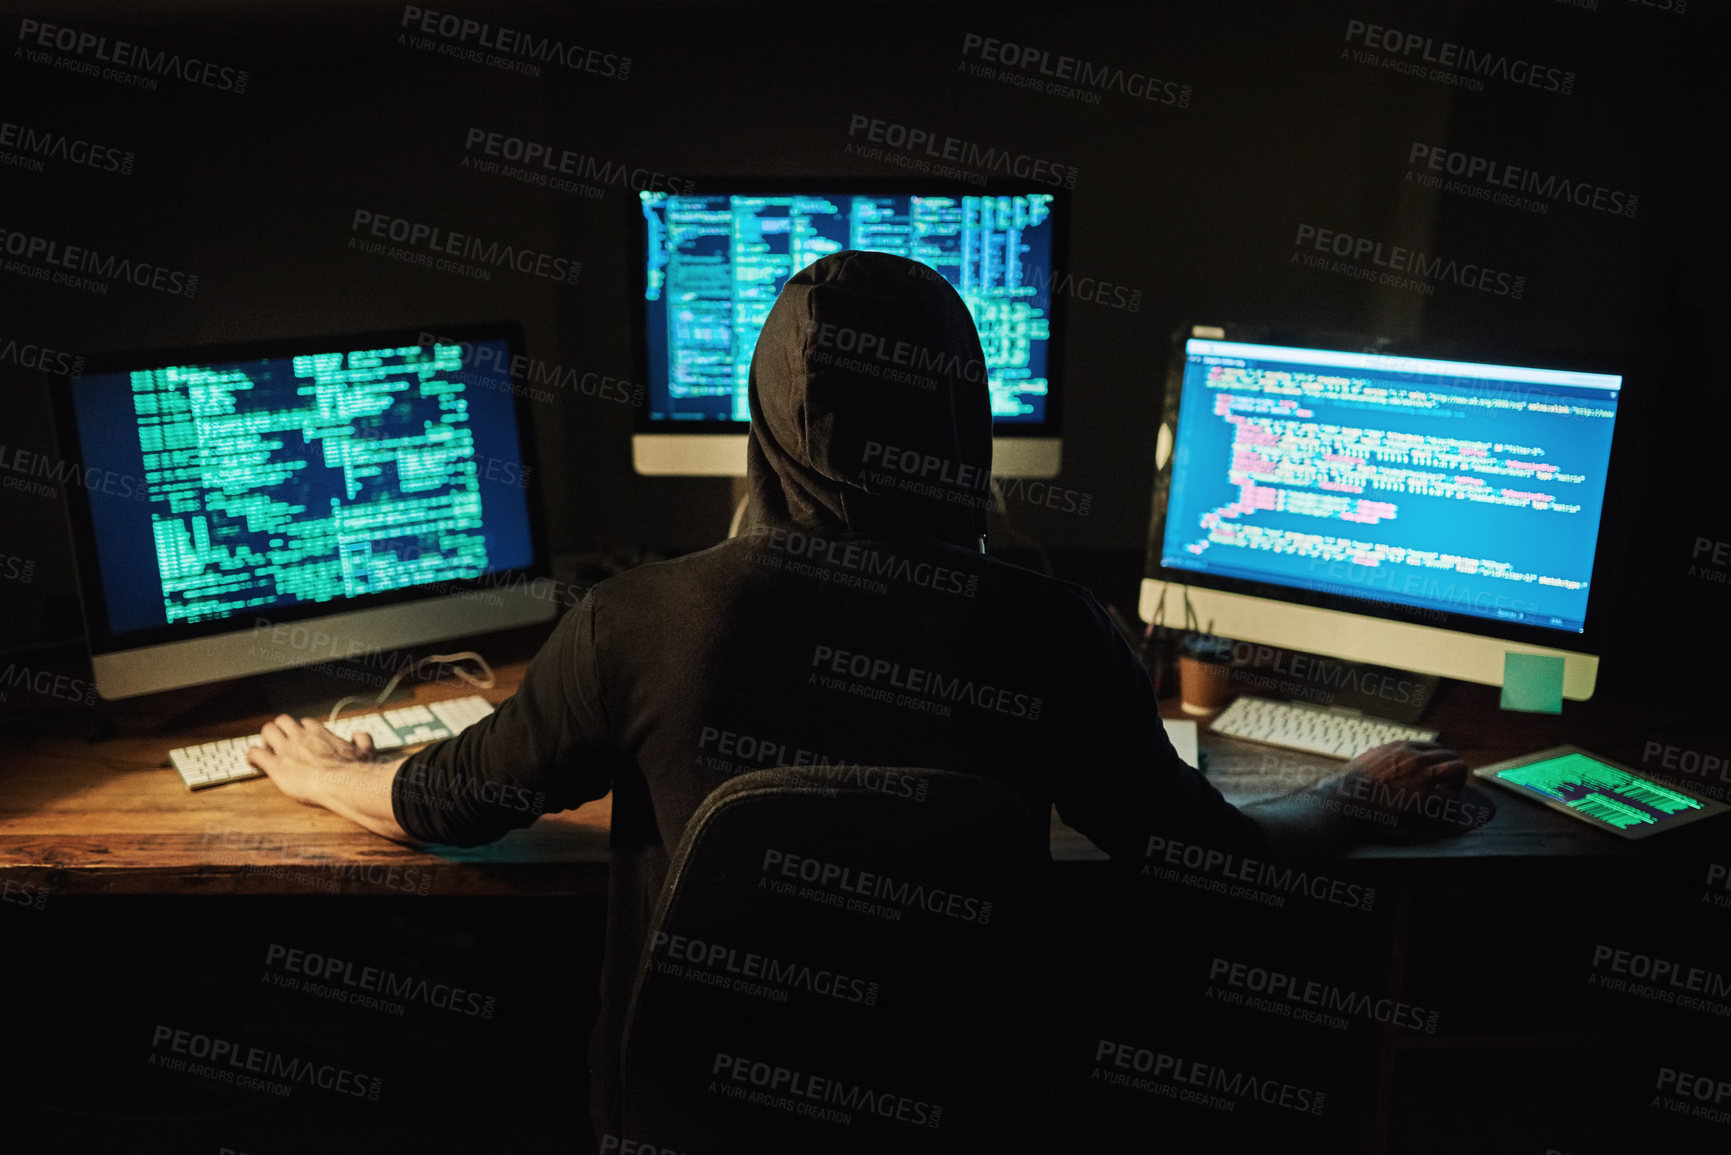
1593	636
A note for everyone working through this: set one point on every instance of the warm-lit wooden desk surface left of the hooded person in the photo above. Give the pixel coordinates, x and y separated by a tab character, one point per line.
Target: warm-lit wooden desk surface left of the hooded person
113	818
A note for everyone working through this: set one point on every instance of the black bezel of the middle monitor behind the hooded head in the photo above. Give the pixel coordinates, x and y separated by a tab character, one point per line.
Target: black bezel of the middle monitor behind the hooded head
1052	427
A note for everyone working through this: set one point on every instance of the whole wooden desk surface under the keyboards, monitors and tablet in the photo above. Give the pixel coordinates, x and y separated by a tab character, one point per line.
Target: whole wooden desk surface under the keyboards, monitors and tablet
113	818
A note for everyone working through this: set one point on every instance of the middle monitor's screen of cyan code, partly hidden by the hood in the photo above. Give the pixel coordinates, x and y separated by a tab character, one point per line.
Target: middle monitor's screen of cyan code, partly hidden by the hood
716	264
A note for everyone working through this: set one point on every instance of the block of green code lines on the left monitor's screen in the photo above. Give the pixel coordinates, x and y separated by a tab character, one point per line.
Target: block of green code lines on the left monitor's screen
309	479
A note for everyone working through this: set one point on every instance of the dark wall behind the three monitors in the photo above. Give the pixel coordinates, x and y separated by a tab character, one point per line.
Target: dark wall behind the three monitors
1192	202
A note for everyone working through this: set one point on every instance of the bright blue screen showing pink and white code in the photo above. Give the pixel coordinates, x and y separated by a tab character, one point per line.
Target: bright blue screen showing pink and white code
1448	486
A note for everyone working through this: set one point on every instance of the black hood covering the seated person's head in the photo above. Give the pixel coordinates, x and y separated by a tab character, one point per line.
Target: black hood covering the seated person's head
870	406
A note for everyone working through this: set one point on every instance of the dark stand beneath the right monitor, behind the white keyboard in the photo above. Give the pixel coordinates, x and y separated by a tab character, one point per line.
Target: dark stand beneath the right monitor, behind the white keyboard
1358	687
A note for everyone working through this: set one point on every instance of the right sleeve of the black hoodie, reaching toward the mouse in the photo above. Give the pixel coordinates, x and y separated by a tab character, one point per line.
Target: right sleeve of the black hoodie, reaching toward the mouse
1128	785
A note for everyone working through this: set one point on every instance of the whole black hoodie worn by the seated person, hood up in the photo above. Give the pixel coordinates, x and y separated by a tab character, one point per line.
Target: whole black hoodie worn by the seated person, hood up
856	624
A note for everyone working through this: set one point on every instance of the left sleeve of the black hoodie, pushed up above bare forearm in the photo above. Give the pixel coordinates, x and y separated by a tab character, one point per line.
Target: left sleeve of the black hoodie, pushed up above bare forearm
544	749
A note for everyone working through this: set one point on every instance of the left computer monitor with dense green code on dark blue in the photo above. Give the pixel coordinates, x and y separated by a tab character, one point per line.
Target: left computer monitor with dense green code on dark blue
252	508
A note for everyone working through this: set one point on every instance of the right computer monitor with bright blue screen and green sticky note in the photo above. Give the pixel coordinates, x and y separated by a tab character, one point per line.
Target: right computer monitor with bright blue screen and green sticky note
1424	513
